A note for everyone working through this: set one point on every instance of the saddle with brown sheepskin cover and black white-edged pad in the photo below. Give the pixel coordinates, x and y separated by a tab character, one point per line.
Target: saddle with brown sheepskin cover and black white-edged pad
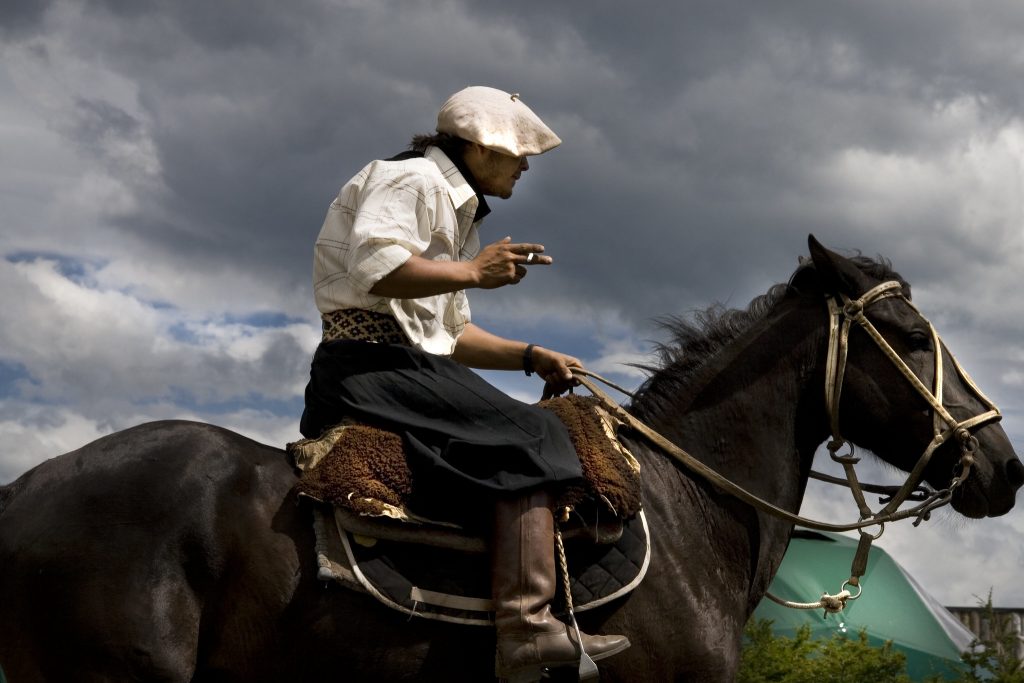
370	537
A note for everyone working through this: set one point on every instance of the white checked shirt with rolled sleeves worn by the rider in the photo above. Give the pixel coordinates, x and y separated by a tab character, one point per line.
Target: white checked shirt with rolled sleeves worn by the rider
389	212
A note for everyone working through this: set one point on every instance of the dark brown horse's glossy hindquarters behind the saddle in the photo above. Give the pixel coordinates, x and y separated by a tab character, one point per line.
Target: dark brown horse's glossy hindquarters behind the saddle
119	550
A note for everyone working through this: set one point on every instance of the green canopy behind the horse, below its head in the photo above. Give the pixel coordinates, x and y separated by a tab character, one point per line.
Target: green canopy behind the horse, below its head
892	608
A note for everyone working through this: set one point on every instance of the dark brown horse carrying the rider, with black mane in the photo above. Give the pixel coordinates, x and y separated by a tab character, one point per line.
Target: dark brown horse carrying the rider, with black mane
176	551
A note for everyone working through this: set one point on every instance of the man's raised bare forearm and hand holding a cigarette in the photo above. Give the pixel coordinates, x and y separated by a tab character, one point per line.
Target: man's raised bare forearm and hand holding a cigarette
497	265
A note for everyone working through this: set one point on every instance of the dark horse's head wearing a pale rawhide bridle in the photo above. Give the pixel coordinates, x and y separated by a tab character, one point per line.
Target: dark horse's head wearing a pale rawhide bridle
892	395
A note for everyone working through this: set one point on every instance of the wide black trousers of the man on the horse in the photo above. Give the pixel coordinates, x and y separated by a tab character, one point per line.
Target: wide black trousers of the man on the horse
464	438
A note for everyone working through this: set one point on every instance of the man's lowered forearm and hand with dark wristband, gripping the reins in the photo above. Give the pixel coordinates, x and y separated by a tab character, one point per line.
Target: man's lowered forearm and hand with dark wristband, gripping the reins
479	349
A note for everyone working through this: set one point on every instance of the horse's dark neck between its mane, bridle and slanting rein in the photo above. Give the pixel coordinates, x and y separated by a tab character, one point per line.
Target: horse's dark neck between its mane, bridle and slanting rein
753	412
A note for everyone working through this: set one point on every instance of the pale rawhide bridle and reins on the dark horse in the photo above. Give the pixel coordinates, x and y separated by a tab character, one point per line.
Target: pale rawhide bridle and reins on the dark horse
843	314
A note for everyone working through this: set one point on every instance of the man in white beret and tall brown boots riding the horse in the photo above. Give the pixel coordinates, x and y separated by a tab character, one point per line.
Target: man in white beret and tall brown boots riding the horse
397	253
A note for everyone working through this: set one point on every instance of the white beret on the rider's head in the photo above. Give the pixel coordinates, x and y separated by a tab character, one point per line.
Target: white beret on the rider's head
497	120
